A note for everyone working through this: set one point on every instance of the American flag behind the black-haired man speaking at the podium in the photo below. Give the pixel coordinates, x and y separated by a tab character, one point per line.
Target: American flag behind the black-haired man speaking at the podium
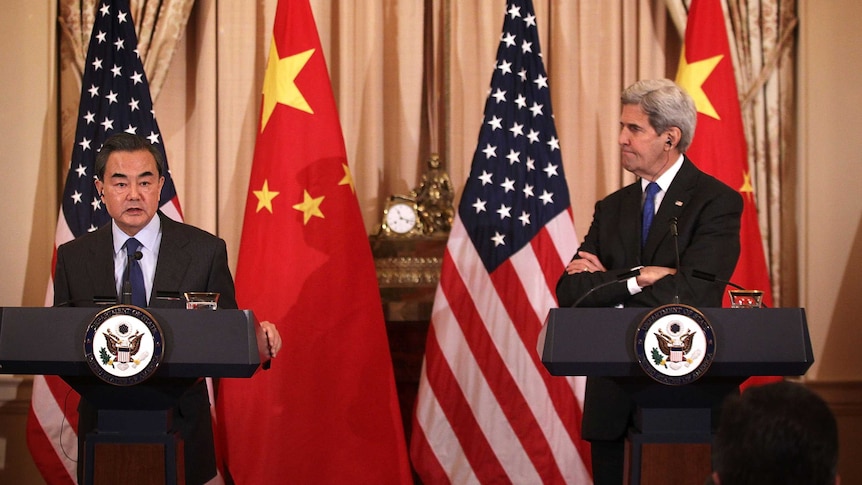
115	97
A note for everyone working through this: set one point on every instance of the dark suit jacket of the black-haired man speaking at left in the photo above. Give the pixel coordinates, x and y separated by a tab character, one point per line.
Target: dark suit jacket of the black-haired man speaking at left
189	260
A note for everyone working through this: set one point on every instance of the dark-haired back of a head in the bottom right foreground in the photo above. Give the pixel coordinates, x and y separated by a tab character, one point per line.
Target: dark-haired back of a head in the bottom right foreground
781	433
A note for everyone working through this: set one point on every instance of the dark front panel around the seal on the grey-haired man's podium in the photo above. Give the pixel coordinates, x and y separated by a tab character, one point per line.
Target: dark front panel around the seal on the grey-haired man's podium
749	342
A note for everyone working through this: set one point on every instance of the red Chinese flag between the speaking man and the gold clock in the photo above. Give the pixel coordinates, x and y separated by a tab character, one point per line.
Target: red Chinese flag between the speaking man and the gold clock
327	410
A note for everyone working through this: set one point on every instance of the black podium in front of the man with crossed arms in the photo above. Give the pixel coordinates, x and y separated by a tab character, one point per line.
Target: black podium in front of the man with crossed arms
600	342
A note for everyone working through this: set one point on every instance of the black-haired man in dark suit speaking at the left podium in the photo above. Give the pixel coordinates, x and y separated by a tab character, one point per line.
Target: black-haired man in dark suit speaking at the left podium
176	258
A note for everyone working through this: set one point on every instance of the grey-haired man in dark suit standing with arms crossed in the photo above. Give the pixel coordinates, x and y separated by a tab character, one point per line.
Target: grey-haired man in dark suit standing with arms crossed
656	127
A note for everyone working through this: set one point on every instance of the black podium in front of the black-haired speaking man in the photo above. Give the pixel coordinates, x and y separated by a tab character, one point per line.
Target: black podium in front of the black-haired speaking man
132	426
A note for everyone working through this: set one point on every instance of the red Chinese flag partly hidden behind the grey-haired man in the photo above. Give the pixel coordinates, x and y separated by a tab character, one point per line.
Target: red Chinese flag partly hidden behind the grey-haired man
719	147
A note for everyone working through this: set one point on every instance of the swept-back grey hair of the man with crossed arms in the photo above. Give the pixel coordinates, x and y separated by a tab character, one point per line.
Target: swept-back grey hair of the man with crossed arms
667	105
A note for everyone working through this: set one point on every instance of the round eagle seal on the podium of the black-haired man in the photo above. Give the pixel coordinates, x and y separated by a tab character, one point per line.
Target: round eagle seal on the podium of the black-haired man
123	345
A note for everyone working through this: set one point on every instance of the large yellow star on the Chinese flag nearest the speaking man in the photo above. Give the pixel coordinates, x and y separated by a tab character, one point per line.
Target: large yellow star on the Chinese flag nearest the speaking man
279	82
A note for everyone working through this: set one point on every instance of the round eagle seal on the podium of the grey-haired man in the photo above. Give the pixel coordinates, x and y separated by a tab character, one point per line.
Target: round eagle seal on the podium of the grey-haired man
675	344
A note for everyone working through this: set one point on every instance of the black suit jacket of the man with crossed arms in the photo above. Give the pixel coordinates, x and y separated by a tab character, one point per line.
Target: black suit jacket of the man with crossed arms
708	214
